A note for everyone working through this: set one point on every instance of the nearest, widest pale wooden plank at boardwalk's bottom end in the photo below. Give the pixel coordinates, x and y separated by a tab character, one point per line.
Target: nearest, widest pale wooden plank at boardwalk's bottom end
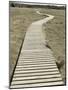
38	84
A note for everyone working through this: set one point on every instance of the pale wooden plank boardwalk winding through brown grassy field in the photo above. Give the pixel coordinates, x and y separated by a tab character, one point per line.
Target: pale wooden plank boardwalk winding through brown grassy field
36	65
